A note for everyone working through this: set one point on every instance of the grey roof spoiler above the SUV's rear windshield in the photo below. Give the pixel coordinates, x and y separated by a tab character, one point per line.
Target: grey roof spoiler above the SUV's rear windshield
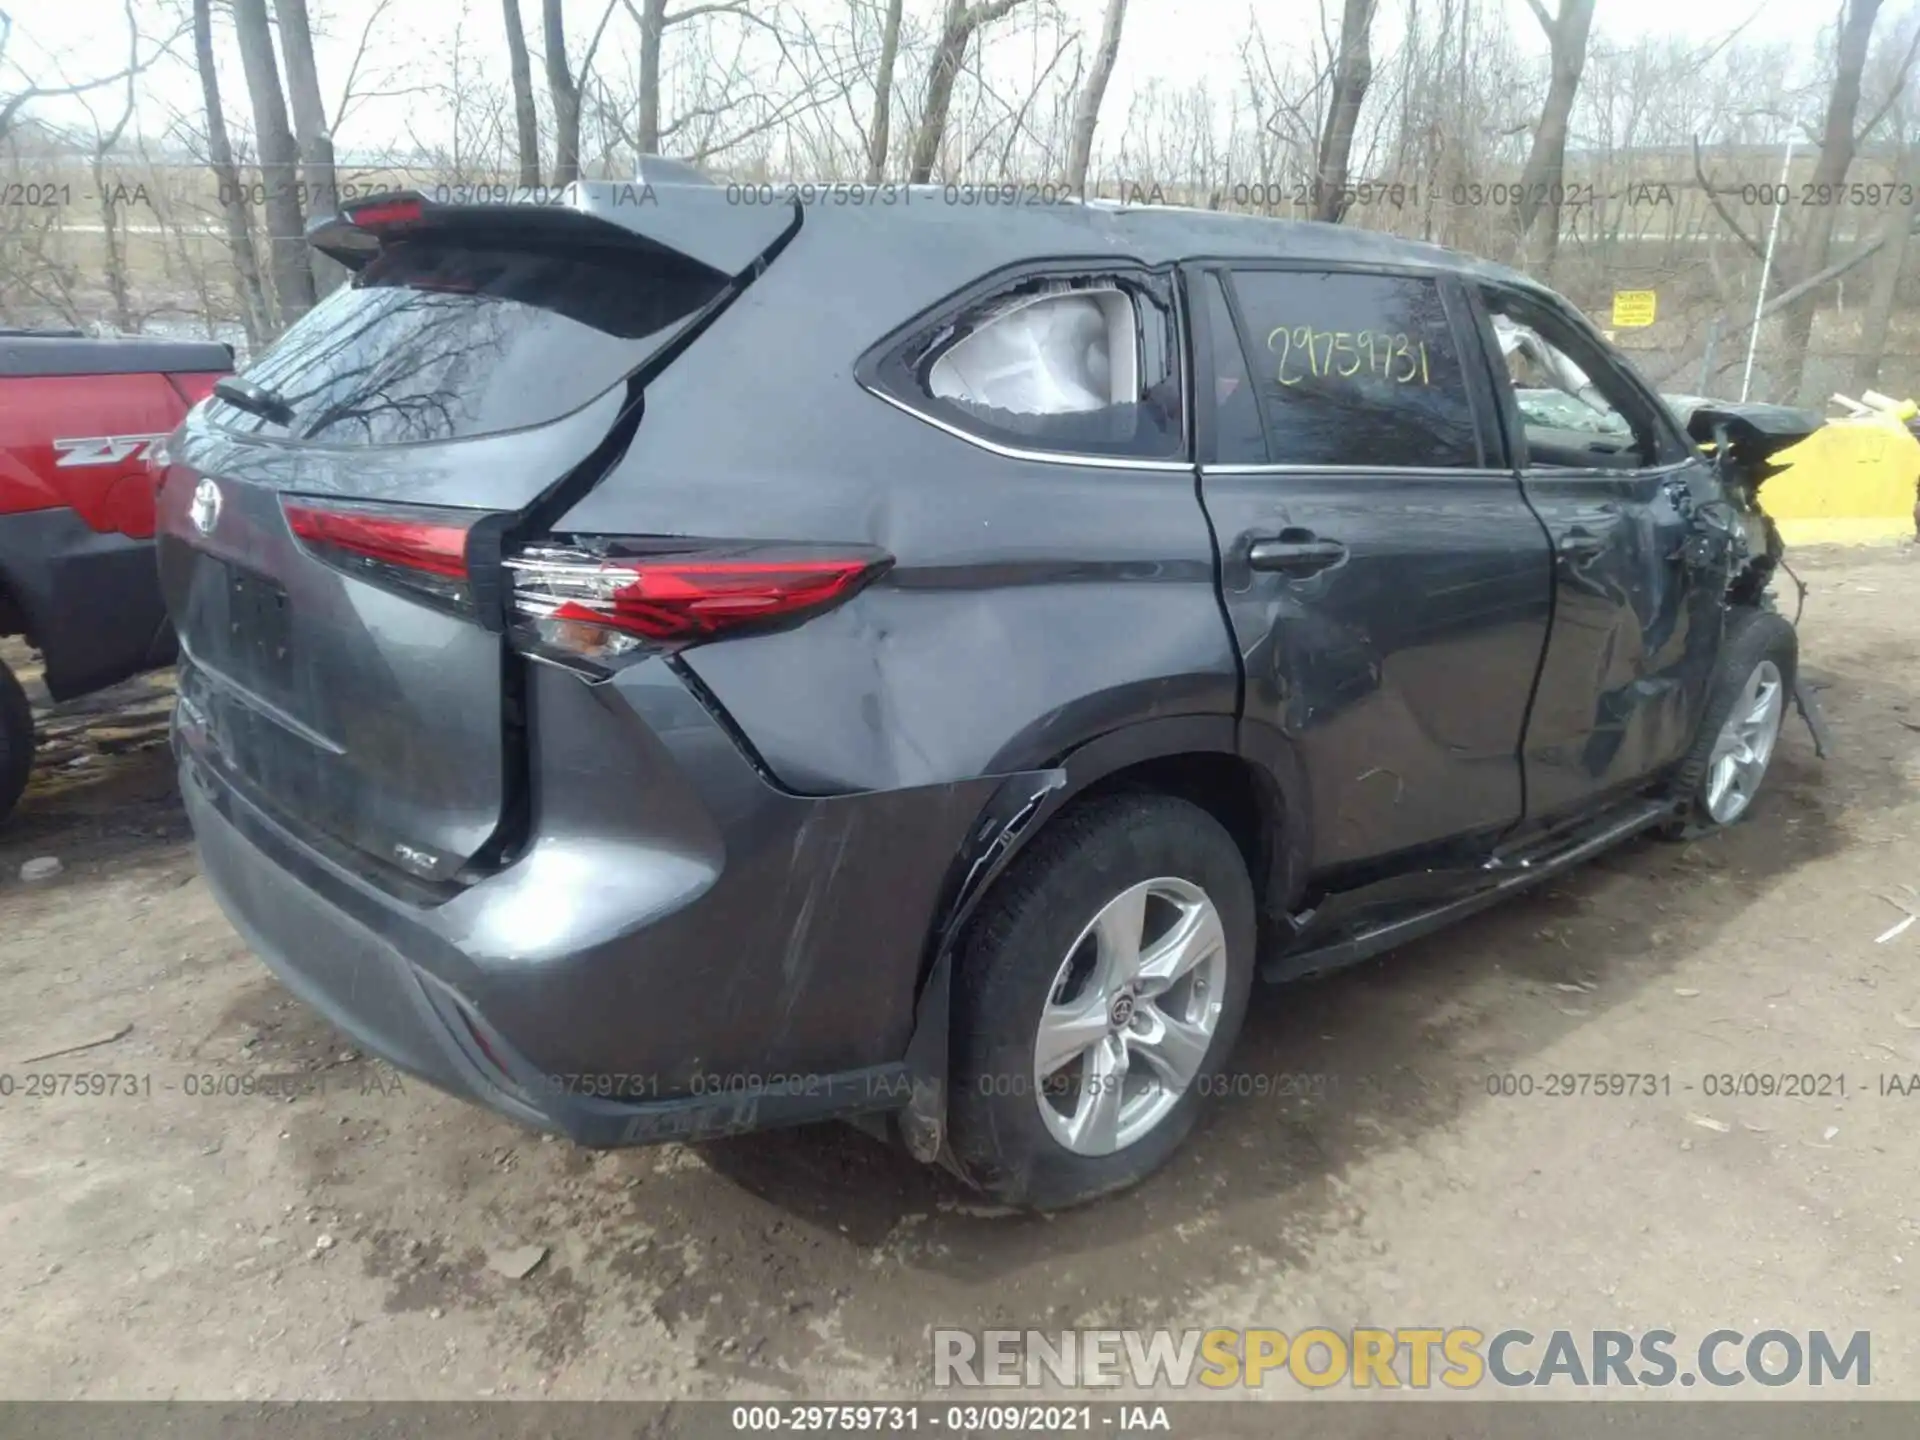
704	224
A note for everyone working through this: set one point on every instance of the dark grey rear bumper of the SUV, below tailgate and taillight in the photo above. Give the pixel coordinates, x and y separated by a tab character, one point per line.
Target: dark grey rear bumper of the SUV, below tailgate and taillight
635	988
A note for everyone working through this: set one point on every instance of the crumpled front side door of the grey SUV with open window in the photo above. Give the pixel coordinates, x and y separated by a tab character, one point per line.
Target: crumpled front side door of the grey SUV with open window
1635	629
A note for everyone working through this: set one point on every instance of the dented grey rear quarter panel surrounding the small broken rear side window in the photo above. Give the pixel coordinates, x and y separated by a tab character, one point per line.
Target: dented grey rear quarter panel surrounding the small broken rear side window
1030	606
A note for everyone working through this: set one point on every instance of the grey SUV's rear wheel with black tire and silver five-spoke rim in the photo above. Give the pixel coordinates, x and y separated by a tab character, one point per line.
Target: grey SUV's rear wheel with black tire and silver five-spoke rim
1044	971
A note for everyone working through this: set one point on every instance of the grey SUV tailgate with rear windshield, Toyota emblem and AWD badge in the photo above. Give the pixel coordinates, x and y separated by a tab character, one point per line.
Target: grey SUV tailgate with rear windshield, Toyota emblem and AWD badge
329	550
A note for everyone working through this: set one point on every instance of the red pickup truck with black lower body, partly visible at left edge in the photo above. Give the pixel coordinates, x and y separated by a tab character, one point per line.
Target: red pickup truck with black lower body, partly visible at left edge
78	421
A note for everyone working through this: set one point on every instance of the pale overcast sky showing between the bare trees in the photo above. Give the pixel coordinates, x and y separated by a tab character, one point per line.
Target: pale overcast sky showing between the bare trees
1174	41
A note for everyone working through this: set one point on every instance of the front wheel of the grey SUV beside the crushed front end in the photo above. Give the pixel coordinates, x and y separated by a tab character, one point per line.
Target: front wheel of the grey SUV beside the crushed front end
1740	731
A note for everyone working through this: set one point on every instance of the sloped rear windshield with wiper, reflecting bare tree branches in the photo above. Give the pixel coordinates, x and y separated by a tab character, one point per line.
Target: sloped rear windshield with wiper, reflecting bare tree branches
441	341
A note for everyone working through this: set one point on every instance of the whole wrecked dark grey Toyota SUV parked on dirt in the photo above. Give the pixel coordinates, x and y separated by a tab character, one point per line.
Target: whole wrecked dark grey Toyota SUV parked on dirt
663	667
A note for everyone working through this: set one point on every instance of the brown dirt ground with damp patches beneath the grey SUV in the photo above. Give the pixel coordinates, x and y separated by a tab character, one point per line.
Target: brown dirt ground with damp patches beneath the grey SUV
189	1241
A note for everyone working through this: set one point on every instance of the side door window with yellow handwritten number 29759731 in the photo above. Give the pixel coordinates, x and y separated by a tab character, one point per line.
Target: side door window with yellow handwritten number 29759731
1356	370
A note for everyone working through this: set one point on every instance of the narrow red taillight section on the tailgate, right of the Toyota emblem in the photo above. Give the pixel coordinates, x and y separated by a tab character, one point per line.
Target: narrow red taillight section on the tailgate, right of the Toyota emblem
414	548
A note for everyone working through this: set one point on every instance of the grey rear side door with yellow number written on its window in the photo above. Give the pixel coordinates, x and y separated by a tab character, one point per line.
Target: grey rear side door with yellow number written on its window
1387	587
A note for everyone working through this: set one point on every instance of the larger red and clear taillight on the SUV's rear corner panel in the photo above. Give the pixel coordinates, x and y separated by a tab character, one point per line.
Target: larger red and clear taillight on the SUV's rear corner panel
610	600
